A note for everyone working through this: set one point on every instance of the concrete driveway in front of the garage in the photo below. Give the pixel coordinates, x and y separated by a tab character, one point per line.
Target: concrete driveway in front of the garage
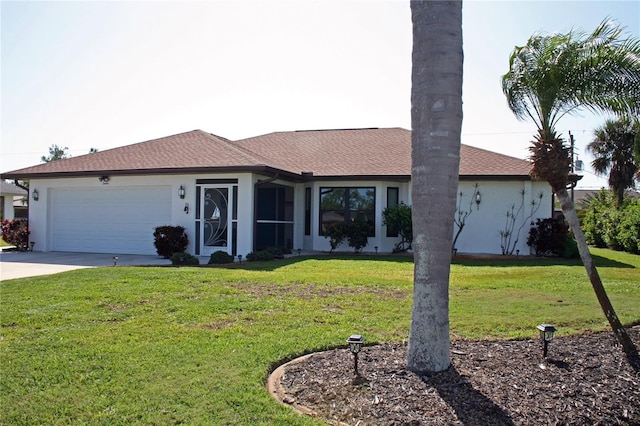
14	264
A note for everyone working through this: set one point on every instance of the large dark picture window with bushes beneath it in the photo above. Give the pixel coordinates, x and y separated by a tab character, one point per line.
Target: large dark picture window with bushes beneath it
347	205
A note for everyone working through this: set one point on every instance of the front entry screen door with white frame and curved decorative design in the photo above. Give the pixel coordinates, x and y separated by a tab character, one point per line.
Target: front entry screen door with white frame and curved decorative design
216	229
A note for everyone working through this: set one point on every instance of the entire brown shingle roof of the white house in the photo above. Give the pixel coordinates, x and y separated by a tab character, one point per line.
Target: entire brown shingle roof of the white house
325	153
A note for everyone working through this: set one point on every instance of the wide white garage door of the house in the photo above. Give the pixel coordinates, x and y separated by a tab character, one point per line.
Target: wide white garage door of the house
108	220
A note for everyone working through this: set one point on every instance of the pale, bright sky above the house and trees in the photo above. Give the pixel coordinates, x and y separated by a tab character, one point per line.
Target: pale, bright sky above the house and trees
106	74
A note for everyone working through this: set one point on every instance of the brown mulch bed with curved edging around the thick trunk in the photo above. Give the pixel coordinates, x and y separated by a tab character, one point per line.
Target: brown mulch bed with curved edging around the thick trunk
585	380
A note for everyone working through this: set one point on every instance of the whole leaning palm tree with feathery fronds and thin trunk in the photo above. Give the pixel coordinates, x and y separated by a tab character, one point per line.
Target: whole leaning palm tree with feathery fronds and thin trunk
556	75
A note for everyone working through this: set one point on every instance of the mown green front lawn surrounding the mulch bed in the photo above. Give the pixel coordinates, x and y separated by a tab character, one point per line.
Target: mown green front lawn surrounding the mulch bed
132	345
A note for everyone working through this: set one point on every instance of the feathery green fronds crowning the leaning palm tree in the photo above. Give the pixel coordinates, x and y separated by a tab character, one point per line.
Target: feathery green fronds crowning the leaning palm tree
552	76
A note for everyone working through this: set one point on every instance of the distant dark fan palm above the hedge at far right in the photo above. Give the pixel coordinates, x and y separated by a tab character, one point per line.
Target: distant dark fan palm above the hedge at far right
613	148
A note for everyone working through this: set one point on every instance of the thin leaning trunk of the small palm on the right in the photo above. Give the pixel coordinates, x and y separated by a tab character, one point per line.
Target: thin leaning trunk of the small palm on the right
618	329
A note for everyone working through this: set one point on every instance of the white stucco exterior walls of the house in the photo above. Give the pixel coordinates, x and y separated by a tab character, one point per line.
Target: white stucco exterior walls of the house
481	233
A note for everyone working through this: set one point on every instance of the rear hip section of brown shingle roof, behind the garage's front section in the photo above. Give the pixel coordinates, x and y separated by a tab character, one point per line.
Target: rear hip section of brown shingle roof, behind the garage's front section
367	152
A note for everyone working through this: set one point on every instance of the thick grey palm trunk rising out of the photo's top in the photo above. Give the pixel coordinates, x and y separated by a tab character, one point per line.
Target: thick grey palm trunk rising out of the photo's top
436	119
